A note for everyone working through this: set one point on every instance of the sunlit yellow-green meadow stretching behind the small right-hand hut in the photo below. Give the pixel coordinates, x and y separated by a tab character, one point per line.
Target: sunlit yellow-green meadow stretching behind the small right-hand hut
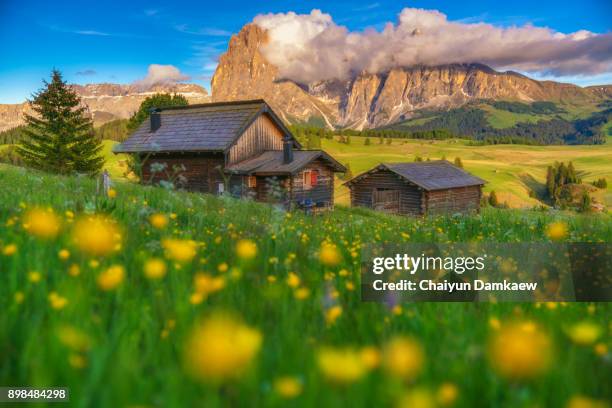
510	170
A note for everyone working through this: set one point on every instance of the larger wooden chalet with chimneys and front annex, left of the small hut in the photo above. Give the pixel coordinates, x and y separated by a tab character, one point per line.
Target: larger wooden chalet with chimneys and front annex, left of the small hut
238	147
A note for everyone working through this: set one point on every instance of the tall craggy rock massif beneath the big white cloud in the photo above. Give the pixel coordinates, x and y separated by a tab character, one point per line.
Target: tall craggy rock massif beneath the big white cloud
370	100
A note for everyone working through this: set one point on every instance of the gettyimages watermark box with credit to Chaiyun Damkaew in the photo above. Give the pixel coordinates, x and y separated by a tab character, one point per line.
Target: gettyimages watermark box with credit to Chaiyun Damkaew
526	272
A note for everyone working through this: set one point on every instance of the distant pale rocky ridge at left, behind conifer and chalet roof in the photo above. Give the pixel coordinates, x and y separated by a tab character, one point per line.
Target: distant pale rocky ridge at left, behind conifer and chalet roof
107	101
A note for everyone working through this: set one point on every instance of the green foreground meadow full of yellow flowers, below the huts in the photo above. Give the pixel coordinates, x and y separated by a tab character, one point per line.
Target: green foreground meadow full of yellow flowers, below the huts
148	297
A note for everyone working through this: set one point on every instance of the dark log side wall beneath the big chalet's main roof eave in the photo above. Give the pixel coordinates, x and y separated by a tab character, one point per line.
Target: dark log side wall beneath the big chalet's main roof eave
201	171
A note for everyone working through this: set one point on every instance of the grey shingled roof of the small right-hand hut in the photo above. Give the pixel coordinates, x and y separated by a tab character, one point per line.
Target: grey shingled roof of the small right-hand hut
430	175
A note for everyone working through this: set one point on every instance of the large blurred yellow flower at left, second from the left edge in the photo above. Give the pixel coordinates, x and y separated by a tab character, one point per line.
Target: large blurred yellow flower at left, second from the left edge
96	235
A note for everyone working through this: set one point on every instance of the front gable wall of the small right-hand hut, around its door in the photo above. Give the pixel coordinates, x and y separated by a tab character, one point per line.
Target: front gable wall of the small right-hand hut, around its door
411	197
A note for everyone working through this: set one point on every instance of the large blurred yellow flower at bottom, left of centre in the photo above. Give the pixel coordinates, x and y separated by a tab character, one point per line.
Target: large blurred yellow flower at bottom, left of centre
221	348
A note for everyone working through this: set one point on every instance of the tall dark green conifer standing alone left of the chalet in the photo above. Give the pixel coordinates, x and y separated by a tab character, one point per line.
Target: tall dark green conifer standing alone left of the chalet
60	136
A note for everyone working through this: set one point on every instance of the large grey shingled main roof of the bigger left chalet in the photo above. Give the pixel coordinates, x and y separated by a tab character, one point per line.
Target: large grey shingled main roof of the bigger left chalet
203	127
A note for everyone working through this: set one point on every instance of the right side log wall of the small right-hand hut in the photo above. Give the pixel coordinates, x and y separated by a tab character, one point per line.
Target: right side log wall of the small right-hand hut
462	199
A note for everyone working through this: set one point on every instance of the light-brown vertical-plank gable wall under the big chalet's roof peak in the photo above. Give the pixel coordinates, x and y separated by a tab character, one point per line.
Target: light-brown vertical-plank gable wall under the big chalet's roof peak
262	135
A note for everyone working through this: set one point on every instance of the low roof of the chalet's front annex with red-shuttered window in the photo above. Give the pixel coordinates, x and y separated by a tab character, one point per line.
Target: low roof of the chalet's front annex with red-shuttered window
271	163
